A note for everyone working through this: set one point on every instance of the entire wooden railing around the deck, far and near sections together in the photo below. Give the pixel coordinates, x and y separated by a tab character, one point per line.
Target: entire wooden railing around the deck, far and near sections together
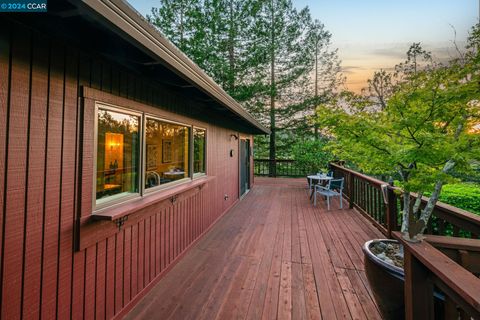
446	265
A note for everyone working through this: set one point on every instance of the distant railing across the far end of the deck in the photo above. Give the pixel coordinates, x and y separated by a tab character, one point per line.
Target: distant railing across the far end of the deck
280	168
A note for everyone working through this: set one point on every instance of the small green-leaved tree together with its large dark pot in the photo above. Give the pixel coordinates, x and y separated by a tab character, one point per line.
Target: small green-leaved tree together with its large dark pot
418	125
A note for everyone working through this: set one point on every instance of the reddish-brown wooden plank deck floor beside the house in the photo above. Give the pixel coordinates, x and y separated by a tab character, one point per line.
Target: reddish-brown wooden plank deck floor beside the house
273	256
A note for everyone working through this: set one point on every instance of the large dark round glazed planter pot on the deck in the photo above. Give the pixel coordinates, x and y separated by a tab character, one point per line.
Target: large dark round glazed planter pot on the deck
386	282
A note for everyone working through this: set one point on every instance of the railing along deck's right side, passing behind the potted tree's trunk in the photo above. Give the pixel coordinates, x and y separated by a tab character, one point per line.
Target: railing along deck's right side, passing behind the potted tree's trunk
379	202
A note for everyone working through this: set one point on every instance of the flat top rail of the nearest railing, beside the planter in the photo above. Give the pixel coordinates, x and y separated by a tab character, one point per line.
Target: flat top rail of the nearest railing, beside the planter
452	274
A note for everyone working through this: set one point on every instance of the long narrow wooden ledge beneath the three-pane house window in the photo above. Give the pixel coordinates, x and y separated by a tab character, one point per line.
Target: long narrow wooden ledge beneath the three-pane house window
125	209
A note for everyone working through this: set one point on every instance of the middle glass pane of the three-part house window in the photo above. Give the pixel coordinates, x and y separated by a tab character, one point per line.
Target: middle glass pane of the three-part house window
166	157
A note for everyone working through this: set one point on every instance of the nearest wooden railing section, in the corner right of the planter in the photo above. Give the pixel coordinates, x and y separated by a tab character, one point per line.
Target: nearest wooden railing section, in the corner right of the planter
428	270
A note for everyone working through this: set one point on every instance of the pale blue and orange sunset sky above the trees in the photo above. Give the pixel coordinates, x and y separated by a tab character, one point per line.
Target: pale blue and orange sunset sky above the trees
374	34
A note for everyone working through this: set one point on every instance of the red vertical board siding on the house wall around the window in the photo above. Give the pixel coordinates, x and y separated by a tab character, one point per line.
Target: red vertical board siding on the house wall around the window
43	185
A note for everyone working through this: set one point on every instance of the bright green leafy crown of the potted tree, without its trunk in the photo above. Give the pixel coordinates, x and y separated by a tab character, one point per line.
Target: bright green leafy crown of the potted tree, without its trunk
424	125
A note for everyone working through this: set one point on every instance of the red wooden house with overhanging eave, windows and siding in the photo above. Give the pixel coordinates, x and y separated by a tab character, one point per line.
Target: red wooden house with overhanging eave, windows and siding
116	154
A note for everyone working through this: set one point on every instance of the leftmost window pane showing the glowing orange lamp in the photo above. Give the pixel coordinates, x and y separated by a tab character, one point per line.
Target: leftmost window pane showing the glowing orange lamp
118	151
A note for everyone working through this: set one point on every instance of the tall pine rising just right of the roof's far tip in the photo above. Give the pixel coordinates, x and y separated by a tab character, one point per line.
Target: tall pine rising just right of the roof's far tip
286	32
